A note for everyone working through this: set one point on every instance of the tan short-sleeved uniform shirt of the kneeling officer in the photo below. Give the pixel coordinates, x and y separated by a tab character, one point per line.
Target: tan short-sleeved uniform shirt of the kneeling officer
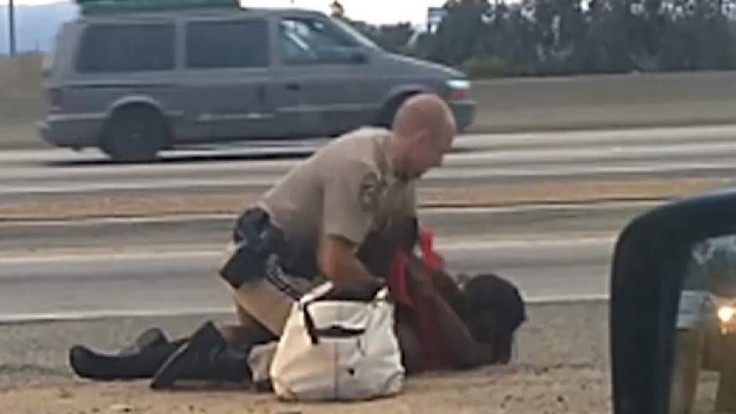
347	189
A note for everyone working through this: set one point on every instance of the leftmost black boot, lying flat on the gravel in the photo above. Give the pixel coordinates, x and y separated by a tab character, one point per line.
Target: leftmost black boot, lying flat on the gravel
89	364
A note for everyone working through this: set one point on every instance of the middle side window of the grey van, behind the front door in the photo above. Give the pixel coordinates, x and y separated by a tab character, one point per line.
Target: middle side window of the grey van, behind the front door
227	44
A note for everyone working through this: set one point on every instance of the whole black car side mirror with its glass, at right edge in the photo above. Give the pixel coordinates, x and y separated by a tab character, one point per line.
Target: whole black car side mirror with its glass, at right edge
665	275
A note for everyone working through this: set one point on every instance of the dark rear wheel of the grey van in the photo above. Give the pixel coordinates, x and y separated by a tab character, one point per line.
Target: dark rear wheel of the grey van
135	134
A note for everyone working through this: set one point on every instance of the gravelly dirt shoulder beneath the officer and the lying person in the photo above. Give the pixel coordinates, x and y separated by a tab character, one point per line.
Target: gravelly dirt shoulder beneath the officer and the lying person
560	366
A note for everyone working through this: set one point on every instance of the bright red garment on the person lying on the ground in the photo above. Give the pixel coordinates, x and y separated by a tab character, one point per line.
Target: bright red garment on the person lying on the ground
422	316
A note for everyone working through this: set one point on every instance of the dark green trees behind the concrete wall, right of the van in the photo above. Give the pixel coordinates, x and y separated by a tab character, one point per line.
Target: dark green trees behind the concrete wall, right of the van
573	36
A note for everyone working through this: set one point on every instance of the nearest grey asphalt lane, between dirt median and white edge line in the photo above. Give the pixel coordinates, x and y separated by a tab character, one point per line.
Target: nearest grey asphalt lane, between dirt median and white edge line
42	286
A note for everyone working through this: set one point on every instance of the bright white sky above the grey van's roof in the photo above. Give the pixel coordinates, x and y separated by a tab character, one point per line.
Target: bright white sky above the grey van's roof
374	11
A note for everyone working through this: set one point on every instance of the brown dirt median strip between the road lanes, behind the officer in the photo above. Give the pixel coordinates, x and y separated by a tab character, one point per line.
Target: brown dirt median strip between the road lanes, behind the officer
530	222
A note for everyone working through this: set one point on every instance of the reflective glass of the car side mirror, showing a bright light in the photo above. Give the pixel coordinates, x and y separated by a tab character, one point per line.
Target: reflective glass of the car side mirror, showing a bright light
703	370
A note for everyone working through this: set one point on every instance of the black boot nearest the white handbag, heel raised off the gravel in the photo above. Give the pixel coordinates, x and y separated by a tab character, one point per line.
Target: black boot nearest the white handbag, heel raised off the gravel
207	356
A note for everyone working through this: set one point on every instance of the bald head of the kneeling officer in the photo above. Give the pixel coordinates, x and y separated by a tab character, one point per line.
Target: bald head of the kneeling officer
424	127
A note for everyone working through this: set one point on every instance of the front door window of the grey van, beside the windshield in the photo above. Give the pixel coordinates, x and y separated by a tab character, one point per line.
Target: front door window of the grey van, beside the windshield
307	40
